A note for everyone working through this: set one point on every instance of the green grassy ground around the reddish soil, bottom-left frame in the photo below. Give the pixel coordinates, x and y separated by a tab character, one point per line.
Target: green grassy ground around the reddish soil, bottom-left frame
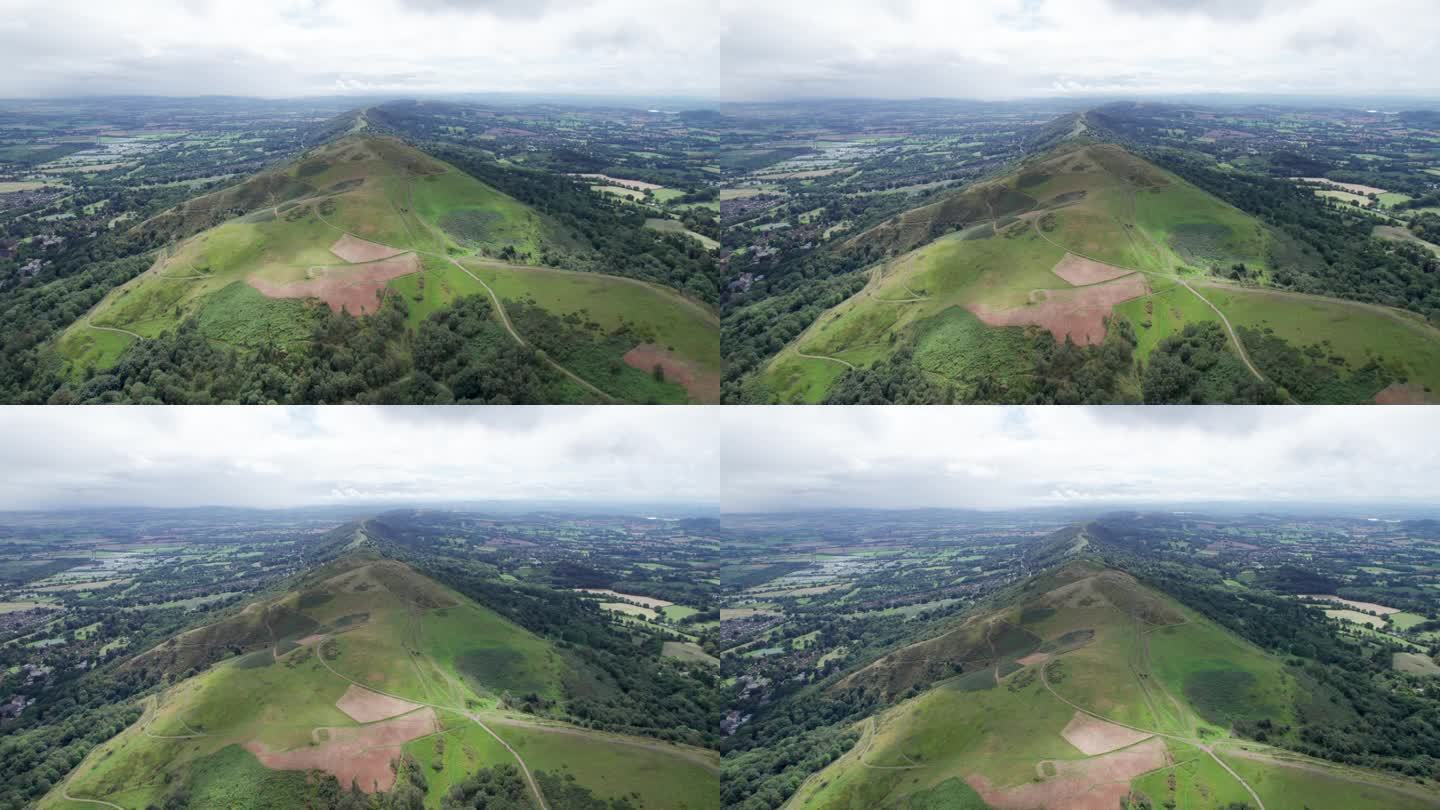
372	622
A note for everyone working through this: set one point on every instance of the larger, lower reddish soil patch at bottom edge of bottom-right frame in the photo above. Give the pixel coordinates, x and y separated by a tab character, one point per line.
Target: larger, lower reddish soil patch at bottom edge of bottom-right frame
1082	785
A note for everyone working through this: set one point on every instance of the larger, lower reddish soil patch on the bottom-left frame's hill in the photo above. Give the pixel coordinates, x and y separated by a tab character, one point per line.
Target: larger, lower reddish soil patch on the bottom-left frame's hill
362	755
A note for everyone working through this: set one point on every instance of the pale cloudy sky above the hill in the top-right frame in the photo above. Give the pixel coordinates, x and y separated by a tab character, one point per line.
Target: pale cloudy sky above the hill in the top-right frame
1048	48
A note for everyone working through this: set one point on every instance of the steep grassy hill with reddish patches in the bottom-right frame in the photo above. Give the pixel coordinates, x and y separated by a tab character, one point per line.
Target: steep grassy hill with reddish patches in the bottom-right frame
1086	690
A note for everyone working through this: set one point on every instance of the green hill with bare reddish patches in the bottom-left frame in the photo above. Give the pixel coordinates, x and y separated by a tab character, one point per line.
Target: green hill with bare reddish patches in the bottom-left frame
387	681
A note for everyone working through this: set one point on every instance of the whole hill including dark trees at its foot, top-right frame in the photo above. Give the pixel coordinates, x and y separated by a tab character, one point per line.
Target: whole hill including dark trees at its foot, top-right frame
1163	289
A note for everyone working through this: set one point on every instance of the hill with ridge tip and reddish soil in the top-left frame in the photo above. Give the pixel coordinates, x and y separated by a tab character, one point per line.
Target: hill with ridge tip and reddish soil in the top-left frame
368	223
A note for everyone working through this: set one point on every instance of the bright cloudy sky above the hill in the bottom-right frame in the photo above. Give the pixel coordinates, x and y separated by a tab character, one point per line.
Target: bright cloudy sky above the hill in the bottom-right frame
797	459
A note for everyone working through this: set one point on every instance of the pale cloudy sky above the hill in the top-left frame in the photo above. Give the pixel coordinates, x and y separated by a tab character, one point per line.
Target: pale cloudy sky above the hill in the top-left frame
290	48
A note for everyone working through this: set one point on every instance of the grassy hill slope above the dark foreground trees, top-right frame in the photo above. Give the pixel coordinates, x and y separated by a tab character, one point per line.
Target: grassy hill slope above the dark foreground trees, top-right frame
1071	243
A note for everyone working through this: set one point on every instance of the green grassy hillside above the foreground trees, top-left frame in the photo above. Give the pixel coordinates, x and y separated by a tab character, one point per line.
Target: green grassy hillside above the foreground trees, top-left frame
392	197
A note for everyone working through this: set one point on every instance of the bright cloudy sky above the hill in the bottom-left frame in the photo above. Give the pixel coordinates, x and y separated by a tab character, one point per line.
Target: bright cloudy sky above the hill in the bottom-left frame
273	458
